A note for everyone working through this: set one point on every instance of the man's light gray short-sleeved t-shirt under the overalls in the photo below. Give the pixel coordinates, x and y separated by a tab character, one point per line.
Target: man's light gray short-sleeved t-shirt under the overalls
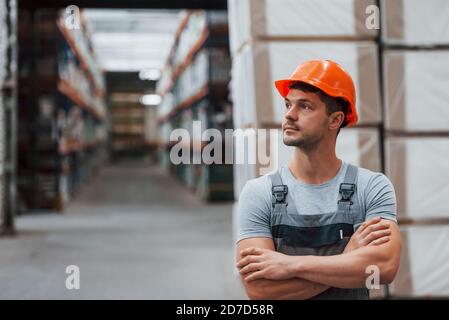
376	196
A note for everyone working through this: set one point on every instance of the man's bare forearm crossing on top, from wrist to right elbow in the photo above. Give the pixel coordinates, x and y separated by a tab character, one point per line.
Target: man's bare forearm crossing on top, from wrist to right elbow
346	270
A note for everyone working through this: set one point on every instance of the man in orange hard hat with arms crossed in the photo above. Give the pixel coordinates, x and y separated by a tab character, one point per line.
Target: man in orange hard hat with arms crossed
318	227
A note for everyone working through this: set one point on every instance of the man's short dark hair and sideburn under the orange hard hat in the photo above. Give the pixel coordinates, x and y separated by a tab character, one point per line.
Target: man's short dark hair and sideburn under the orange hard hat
333	104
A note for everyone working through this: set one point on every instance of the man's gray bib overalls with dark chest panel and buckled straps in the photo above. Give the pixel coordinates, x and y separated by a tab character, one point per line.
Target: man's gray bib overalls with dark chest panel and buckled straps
319	234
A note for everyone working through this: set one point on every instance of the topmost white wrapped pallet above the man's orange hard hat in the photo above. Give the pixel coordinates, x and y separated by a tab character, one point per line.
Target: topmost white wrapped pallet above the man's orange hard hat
297	19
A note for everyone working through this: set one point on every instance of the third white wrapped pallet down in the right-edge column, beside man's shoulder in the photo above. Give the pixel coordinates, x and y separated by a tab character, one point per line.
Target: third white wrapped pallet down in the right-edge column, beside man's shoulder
418	167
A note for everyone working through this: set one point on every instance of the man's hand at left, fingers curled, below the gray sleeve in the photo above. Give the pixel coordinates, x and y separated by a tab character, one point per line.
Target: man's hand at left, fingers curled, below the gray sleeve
259	263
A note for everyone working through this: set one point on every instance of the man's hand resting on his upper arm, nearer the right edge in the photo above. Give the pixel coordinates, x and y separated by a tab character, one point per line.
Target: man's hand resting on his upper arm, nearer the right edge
372	232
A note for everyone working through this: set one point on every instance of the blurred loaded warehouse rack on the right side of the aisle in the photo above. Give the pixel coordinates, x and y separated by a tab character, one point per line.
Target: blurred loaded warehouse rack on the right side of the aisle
194	87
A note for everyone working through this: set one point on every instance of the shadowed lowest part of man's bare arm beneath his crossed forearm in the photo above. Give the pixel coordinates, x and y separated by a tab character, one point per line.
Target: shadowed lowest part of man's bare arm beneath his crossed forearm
294	288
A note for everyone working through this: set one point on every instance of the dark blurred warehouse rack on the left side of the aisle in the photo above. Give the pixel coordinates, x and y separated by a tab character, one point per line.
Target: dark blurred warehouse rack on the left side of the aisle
51	170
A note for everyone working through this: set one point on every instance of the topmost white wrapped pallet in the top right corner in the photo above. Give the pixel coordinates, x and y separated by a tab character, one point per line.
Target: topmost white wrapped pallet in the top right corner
415	22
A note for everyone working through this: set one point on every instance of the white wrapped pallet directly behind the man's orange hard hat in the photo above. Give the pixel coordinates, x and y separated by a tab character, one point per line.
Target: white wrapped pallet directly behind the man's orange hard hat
258	104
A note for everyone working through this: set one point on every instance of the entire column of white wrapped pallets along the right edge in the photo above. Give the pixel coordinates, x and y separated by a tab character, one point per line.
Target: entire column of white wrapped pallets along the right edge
415	69
